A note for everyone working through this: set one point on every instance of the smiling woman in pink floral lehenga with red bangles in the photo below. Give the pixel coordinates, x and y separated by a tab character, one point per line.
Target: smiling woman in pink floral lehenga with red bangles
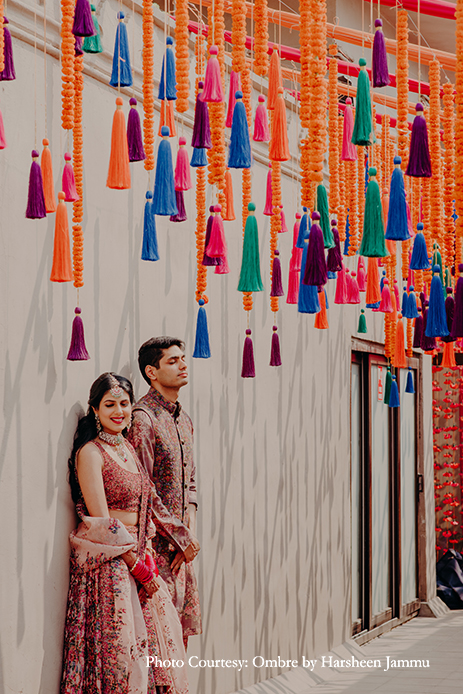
120	619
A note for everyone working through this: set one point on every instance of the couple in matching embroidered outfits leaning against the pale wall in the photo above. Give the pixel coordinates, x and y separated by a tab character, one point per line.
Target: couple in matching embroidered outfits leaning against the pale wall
133	592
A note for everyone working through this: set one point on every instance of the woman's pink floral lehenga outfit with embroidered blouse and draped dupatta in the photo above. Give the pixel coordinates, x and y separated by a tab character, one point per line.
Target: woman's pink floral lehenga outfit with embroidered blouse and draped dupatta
109	634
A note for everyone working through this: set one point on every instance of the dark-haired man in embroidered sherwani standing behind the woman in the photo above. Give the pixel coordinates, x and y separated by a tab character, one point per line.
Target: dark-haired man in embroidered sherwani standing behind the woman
162	434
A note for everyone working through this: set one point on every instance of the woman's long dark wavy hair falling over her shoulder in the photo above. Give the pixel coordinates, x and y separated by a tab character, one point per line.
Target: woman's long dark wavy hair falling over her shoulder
86	429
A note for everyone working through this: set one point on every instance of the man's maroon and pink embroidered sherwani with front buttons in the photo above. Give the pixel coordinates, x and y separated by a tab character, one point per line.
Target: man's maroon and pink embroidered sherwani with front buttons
162	435
